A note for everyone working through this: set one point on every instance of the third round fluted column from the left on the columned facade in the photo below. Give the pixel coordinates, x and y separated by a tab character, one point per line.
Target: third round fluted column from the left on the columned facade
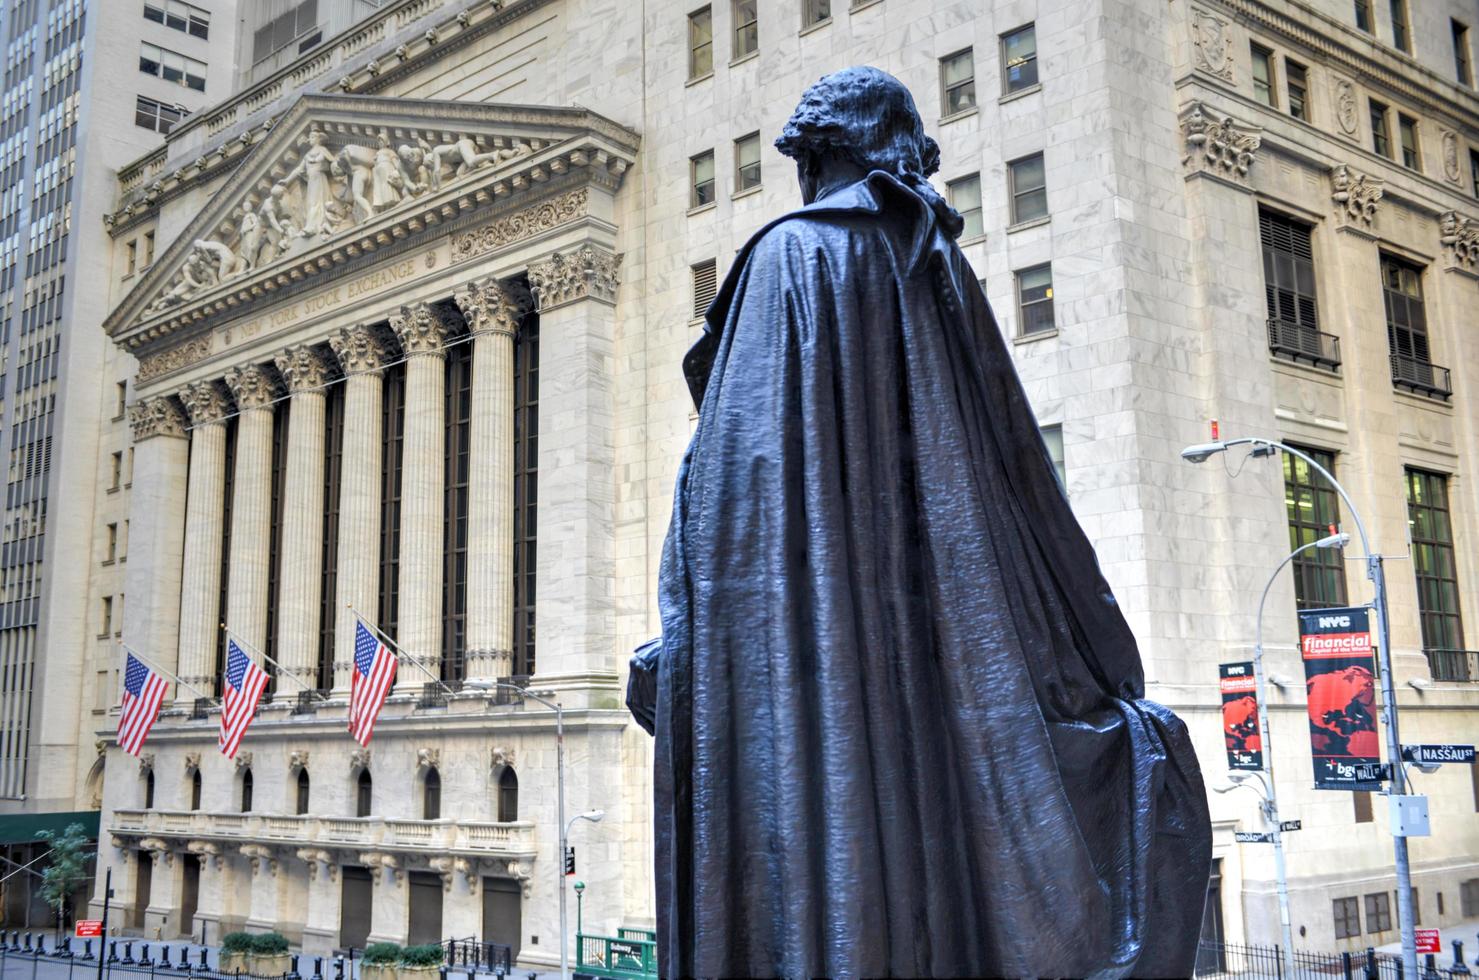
302	551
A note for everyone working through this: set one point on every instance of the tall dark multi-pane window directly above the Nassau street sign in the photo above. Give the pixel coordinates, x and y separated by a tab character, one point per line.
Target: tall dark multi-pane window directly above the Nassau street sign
1435	565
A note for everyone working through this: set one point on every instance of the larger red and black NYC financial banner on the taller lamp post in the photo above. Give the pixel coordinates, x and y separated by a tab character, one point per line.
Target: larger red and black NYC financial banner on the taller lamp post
1341	679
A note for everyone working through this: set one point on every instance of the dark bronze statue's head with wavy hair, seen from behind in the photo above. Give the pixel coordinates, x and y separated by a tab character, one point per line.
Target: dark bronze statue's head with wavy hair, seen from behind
863	119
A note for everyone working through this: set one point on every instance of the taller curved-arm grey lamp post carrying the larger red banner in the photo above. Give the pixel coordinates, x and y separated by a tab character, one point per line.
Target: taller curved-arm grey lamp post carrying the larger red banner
1378	574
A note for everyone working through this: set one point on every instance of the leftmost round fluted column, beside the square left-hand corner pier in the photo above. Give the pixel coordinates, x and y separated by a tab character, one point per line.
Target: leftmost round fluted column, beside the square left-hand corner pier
200	601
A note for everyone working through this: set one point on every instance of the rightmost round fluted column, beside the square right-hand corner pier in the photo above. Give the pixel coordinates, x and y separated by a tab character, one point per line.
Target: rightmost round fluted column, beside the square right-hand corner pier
492	311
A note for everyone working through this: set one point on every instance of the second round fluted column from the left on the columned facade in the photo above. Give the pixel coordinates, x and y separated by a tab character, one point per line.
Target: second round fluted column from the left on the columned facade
251	506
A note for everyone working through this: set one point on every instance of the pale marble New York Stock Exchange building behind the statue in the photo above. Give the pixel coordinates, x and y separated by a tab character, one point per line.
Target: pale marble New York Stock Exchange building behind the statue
412	344
